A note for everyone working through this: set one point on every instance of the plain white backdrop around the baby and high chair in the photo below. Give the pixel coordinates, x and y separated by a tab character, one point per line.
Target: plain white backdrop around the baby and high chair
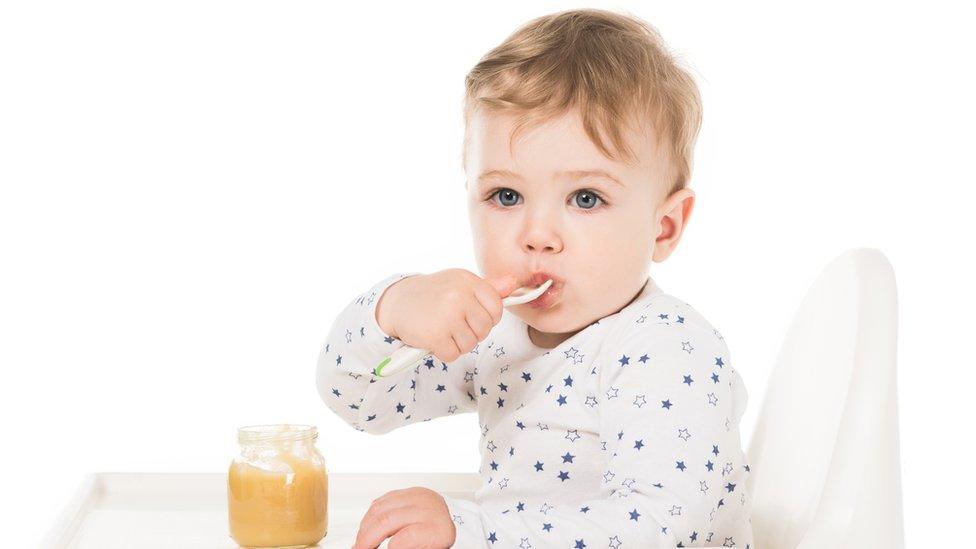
191	191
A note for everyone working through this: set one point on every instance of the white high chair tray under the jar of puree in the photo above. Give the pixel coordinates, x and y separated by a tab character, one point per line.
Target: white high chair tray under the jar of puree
189	510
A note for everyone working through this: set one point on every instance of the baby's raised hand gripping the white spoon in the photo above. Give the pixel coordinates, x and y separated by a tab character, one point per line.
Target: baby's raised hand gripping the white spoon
447	312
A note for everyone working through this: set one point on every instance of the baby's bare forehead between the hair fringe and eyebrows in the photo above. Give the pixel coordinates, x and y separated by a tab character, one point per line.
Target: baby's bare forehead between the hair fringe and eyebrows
557	144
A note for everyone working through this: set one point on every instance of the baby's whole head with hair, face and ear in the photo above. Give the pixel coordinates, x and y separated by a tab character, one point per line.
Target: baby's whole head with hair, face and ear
579	134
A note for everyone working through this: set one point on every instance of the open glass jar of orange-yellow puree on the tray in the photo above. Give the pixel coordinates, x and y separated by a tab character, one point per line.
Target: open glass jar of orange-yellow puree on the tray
278	488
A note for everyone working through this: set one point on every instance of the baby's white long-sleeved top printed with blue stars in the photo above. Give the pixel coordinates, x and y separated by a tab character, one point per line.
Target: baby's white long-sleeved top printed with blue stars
624	435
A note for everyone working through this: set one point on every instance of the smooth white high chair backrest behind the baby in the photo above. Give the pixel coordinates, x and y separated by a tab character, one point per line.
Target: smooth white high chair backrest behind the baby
824	455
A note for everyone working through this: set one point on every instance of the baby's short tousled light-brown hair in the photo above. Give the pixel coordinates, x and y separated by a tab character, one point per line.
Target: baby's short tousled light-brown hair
612	67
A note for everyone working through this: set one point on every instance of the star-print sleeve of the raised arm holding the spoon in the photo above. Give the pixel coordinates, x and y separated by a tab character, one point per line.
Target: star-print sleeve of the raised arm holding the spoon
345	380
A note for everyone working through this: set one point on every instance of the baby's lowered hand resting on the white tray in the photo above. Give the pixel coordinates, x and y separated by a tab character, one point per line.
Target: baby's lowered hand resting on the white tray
413	517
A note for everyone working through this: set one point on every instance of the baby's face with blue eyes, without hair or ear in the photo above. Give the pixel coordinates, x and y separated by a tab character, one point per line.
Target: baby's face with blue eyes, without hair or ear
555	207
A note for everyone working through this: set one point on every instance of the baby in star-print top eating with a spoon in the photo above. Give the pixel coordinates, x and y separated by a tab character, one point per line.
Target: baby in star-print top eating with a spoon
609	409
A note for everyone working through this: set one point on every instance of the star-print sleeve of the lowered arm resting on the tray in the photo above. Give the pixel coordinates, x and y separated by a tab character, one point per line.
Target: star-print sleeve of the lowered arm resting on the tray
673	469
